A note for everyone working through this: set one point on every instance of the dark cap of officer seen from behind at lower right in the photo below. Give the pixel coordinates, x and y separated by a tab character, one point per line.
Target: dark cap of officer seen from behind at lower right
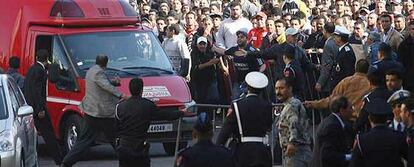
378	106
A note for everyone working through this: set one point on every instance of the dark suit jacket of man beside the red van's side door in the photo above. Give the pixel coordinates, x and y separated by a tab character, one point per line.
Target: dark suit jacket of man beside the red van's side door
35	88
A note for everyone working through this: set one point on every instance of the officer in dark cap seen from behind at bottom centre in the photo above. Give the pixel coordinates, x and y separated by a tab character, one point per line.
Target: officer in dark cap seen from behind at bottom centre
204	153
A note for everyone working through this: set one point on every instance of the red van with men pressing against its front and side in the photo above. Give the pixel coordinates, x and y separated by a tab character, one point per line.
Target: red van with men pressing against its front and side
74	32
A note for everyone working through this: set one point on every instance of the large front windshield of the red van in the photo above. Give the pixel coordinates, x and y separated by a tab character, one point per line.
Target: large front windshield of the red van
130	52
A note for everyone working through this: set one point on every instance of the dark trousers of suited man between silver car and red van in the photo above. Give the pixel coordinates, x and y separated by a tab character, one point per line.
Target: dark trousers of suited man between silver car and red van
44	126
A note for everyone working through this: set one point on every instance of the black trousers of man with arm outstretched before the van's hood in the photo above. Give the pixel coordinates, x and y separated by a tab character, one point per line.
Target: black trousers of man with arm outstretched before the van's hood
132	157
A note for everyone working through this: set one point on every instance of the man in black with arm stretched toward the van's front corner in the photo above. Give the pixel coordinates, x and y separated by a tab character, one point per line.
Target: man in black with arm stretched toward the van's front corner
133	119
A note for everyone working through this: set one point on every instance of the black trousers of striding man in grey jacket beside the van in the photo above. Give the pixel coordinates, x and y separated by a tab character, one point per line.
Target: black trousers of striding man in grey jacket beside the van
91	127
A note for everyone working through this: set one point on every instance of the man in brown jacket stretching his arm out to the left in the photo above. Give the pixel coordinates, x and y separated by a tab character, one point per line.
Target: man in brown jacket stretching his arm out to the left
353	88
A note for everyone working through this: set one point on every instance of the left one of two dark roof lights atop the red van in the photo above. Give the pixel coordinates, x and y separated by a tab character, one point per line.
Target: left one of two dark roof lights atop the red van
66	8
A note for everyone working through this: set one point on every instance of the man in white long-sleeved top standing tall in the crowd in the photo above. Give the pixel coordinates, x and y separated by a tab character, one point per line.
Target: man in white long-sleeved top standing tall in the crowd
226	37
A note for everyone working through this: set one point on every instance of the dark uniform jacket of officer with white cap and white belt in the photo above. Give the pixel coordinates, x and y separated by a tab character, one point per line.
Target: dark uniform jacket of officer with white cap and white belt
256	119
